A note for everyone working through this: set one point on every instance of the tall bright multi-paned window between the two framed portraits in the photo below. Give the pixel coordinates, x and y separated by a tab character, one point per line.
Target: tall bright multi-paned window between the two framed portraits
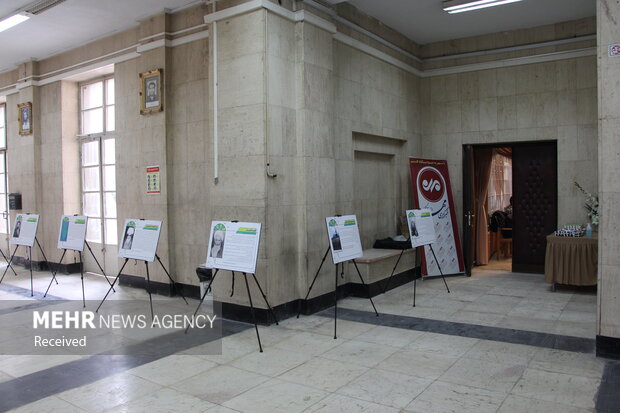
98	160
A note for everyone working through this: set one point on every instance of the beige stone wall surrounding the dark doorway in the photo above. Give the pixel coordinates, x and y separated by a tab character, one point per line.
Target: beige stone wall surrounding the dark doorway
541	101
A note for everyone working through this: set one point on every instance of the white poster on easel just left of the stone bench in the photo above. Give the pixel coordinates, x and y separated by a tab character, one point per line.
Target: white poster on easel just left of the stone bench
344	238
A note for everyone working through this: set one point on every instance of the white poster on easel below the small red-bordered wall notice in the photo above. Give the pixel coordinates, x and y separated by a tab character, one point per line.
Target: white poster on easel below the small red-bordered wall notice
139	240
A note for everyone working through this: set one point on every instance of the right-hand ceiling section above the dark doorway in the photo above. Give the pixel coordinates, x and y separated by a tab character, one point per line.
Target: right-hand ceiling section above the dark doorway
424	21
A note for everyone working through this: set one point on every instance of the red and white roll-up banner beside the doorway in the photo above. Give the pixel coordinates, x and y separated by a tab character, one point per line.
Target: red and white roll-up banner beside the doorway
431	189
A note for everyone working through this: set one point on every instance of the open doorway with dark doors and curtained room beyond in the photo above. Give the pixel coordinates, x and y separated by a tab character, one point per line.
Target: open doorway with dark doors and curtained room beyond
509	205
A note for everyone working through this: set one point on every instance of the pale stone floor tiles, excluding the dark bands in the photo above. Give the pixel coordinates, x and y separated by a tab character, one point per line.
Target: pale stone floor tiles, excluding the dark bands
369	368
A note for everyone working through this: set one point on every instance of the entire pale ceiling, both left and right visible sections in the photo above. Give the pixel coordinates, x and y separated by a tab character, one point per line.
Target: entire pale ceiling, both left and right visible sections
77	22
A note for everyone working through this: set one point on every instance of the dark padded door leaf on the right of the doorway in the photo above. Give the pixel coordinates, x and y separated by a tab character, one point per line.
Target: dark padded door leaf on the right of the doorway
535	209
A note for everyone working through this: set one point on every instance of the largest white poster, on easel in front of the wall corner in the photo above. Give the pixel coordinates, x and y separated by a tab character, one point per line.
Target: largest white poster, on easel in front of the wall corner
233	246
